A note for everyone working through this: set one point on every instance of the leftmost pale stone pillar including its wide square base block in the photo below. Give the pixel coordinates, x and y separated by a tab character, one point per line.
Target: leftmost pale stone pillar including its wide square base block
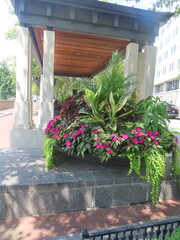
23	134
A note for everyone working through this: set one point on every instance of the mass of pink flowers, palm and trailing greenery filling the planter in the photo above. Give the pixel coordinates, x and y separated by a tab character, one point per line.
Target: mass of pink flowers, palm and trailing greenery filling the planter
108	121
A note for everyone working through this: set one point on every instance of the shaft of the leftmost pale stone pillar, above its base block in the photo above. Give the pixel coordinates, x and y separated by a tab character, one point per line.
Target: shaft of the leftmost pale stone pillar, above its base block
23	103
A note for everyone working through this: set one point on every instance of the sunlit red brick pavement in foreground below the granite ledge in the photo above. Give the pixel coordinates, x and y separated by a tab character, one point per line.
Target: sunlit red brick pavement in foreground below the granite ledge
40	227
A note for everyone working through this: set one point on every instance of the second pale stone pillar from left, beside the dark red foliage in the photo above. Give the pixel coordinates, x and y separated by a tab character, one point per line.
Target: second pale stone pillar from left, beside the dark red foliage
46	106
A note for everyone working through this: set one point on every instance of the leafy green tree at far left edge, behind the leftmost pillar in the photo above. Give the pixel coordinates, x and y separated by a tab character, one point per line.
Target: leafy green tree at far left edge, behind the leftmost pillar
7	81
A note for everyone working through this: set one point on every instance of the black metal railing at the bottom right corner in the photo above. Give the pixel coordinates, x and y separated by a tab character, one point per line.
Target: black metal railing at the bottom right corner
160	229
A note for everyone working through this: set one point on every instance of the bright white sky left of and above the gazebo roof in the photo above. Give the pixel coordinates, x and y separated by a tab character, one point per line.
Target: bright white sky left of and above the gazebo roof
7	21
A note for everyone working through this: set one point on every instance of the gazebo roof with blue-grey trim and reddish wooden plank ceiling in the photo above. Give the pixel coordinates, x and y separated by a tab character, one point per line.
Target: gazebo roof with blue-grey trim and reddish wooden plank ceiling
86	31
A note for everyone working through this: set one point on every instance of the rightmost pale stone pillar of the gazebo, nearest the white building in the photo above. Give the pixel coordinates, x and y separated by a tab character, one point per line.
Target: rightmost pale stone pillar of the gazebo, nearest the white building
146	71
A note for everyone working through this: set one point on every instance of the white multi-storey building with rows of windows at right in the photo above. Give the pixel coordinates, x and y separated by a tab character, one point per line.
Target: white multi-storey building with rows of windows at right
167	75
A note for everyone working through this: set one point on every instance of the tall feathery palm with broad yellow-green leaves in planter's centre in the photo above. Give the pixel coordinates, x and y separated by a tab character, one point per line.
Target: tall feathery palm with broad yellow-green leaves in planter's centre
108	94
